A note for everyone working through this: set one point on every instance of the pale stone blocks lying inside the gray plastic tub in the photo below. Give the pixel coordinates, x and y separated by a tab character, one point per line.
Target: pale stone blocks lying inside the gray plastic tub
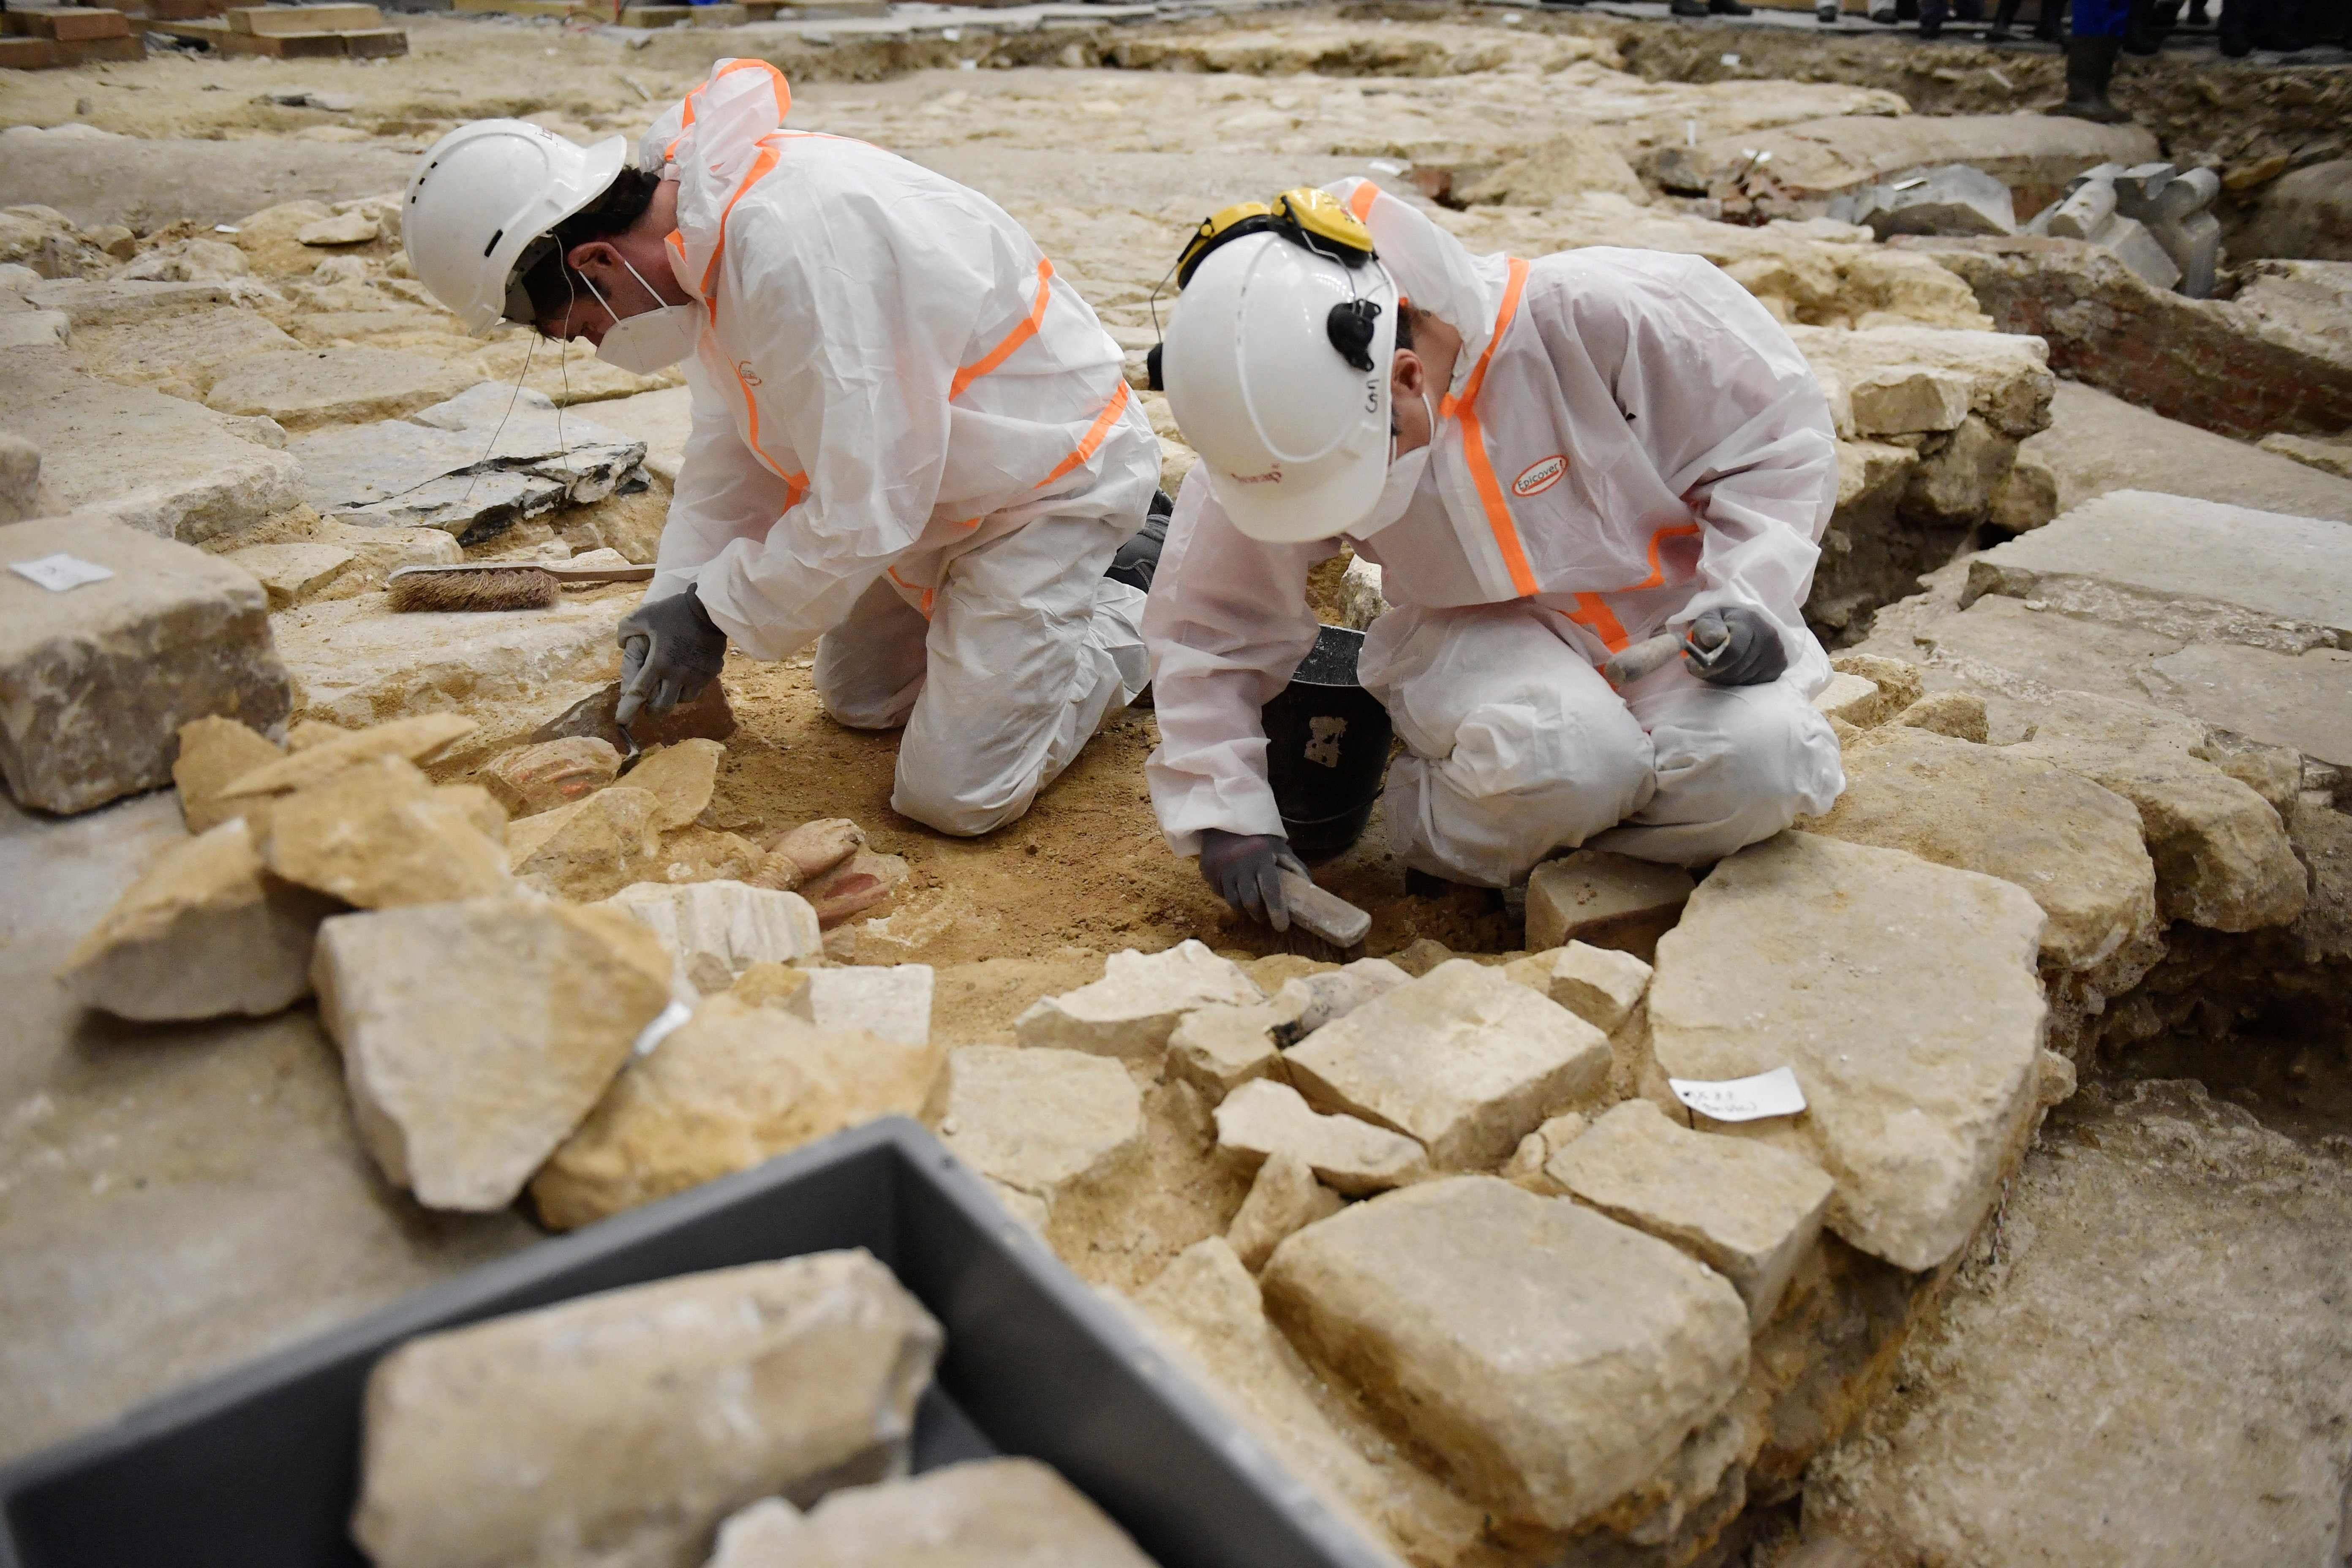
688	1423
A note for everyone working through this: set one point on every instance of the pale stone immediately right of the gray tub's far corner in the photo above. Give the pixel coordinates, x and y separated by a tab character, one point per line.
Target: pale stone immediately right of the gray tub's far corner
1041	1120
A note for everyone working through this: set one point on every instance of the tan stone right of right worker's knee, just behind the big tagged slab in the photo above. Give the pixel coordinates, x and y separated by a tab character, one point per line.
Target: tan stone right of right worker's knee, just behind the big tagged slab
2069	843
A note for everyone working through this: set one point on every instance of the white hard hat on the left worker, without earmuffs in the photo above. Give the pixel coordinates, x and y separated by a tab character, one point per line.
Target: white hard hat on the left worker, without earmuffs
483	196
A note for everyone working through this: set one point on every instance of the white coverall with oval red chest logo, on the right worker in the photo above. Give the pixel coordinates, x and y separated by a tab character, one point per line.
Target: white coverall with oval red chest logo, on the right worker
1629	441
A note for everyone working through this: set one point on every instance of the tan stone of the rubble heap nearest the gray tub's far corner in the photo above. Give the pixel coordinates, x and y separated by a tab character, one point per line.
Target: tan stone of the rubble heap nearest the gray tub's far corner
728	1090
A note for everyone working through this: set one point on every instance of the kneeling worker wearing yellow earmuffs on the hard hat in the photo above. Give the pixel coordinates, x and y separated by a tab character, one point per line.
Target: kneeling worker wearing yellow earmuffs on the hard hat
1551	462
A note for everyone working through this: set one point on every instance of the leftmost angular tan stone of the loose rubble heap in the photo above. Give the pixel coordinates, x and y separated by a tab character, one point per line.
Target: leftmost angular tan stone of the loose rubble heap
206	932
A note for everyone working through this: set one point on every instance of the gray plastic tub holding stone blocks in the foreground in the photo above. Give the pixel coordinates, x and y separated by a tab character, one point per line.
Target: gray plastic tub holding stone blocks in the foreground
260	1468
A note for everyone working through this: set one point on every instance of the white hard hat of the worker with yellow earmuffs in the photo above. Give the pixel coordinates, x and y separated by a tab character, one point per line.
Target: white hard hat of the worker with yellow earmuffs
1292	436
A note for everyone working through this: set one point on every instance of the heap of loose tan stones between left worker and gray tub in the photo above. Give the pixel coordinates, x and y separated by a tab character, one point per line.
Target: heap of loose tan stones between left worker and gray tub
577	996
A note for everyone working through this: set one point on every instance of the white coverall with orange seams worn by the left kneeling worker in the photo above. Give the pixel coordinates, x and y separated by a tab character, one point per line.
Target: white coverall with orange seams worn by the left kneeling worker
909	438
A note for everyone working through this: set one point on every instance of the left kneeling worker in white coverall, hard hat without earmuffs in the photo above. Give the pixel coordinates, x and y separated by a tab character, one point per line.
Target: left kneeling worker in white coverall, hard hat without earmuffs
909	438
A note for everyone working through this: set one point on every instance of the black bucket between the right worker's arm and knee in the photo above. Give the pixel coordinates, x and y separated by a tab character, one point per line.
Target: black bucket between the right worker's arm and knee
1325	749
